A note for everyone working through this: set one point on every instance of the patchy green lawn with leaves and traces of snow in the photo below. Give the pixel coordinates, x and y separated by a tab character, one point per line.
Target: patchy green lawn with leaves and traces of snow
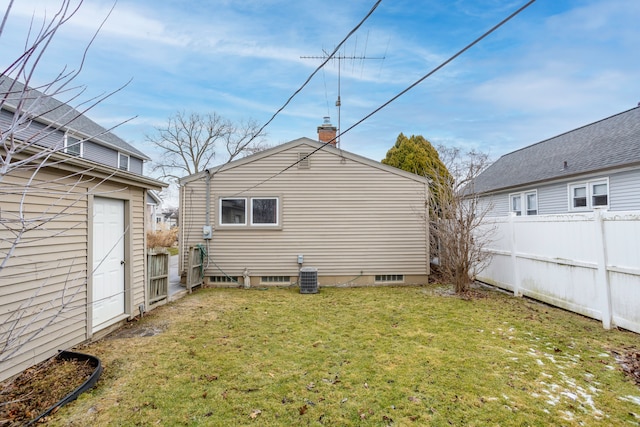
361	356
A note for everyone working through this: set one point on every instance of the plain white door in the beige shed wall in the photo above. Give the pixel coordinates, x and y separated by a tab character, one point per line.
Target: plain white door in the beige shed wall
108	261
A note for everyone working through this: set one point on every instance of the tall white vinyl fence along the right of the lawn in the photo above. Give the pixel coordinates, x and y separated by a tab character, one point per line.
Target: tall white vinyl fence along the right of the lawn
588	263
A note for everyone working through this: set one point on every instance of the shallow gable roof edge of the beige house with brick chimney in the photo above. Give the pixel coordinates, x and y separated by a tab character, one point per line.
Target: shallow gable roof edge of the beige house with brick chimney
313	145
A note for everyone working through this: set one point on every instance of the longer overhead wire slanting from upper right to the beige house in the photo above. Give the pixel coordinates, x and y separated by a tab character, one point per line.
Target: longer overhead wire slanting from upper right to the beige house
417	82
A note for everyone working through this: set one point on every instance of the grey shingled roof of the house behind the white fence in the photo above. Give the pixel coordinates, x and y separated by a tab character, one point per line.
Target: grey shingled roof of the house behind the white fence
609	143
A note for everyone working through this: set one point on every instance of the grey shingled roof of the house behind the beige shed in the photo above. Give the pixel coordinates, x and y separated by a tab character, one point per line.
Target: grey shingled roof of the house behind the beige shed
53	111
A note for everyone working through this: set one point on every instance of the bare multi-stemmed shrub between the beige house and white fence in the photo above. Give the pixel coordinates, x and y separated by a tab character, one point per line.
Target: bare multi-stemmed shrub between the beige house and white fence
457	233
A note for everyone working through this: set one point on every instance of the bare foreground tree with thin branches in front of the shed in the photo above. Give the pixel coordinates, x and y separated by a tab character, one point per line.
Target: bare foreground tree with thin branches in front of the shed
33	167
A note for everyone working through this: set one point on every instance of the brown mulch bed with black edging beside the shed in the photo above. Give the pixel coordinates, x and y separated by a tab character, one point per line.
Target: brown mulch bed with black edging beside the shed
38	388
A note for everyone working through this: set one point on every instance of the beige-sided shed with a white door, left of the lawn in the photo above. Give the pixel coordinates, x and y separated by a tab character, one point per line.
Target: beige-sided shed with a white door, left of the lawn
46	286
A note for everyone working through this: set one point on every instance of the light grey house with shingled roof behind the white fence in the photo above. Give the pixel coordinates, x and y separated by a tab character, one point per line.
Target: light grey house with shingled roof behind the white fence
597	165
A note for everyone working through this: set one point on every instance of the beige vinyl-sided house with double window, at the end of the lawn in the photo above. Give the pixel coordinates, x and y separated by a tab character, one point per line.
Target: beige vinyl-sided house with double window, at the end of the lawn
357	221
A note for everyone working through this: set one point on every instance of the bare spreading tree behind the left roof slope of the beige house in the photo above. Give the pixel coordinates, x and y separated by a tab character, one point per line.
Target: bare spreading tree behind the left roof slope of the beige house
189	143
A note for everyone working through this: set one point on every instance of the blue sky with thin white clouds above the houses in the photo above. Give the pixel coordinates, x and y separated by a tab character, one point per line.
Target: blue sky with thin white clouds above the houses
558	65
